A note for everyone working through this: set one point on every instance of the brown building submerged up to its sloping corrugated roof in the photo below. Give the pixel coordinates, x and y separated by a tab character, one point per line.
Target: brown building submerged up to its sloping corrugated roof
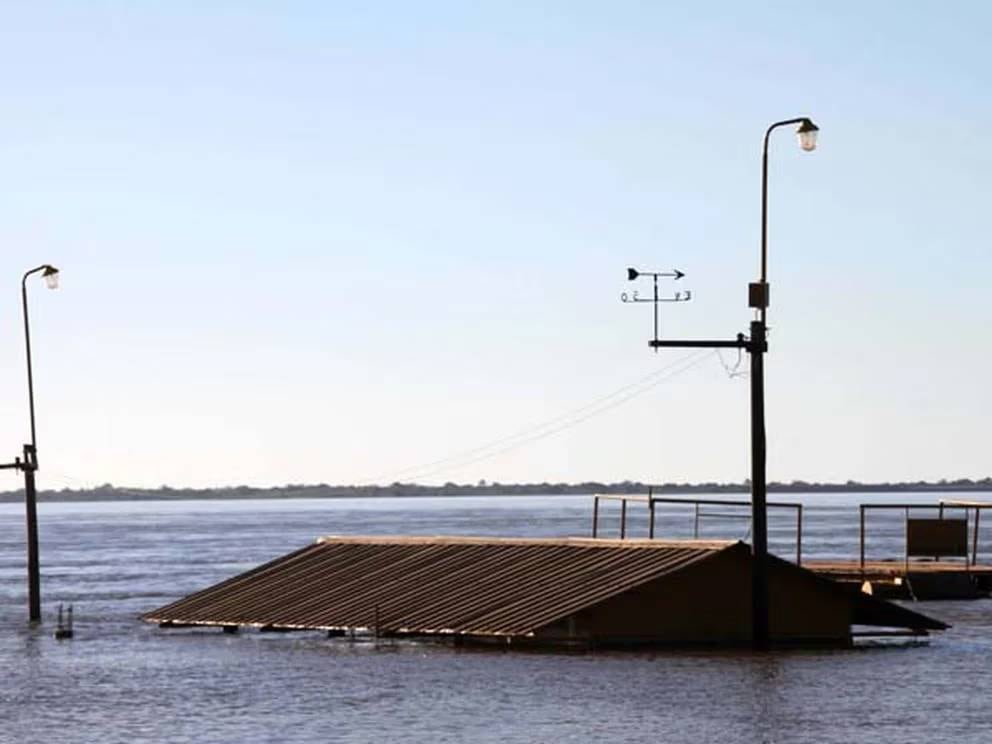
573	591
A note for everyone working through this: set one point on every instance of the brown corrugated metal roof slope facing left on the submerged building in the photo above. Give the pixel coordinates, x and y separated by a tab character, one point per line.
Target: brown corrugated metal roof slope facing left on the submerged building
434	585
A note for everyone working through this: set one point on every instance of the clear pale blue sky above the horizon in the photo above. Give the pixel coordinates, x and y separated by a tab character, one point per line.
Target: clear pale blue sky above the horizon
360	242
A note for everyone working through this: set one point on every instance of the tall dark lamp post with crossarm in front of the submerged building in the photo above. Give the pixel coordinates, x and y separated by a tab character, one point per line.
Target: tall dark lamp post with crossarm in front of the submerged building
756	345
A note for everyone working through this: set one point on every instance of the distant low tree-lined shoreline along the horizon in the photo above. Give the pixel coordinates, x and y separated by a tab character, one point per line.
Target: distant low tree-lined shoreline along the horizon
109	492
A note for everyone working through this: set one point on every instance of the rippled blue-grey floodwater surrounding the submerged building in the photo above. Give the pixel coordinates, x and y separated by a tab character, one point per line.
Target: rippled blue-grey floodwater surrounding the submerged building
120	680
